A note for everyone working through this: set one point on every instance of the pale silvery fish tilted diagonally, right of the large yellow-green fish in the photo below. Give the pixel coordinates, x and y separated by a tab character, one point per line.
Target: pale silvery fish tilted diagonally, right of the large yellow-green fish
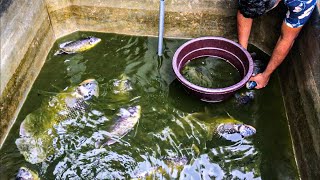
125	121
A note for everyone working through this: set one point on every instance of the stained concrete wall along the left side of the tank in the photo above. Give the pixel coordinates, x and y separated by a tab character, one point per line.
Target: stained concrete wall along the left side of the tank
26	38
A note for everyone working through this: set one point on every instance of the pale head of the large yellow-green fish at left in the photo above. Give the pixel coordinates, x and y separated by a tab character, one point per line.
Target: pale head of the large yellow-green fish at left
88	88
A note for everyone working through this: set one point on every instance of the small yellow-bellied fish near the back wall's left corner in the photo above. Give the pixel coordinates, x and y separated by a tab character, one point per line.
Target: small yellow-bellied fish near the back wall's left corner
81	45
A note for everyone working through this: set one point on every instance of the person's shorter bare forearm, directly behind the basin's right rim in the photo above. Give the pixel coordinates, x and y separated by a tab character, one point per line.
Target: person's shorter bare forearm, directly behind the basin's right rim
244	27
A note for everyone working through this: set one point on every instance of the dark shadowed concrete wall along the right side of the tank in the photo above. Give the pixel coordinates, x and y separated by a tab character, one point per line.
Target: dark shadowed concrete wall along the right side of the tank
300	79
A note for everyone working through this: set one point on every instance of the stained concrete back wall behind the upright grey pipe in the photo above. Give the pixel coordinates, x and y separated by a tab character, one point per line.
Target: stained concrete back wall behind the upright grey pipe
140	17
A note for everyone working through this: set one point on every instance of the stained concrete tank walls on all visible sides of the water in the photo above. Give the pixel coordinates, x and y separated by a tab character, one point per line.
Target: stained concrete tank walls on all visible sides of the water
30	27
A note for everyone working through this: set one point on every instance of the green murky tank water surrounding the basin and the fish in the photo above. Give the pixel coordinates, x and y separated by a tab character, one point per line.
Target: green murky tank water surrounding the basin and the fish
165	143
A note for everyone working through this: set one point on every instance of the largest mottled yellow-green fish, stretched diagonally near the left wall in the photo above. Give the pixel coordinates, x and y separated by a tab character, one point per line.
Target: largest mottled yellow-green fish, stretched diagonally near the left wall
37	129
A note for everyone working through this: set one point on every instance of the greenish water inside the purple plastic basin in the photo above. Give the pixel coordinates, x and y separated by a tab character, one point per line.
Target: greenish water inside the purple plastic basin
211	72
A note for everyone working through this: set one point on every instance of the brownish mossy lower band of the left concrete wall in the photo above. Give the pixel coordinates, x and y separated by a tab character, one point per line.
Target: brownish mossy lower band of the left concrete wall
20	83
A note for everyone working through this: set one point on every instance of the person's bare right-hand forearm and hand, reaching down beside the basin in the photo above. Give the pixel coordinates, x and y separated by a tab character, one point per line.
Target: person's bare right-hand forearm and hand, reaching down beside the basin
282	48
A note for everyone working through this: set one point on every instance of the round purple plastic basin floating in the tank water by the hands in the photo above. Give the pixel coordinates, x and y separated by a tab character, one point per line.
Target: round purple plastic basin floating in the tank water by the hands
220	47
